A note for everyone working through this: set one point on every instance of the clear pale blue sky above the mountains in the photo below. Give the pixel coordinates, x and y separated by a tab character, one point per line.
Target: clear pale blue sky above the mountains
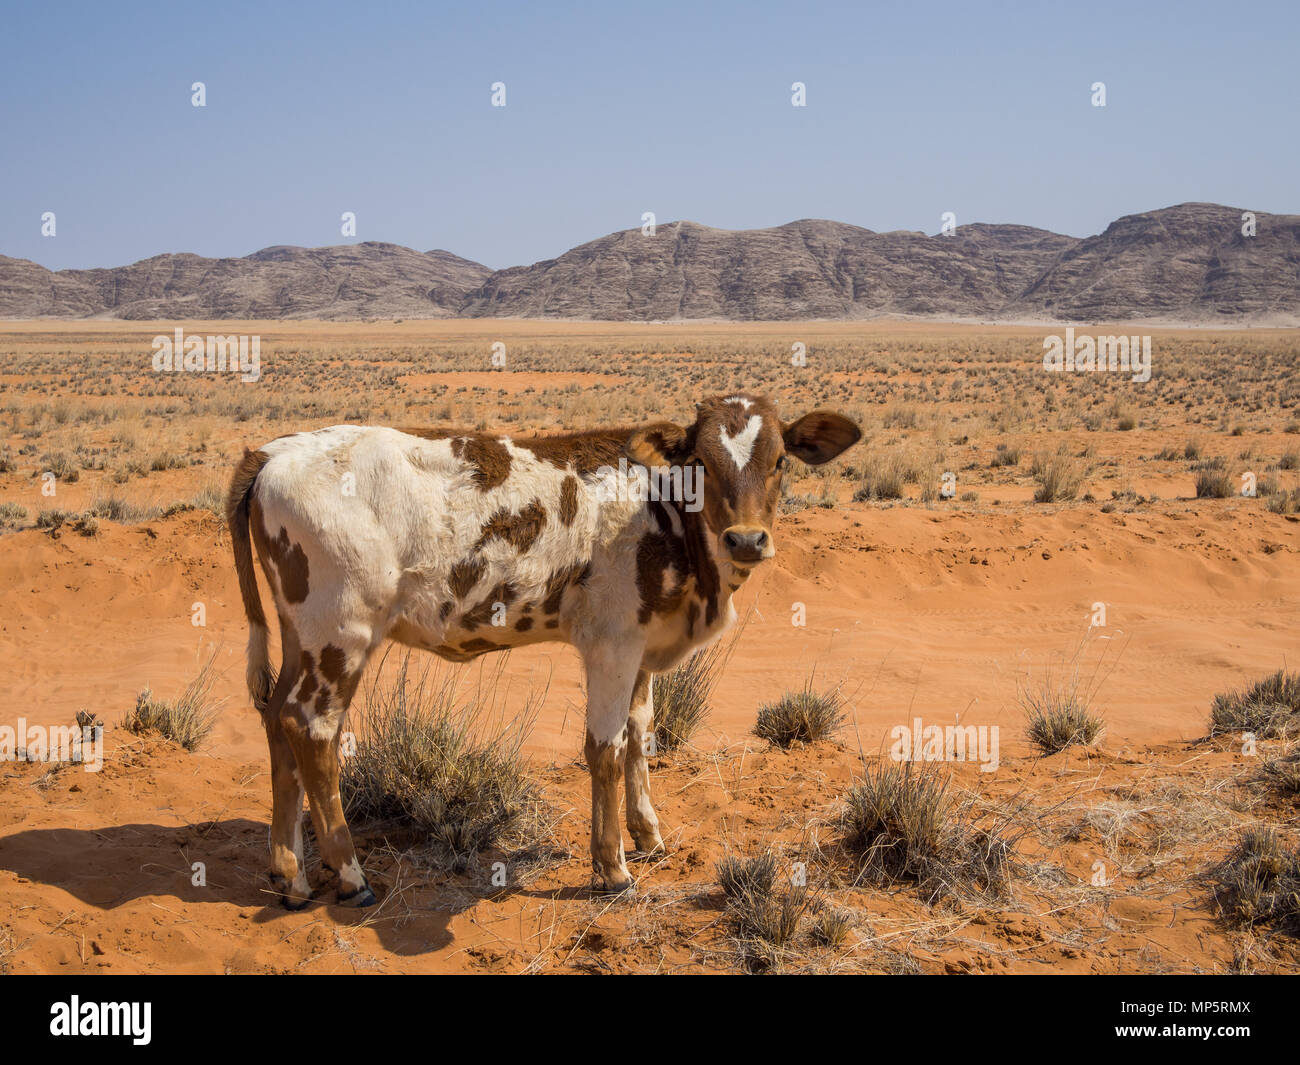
614	110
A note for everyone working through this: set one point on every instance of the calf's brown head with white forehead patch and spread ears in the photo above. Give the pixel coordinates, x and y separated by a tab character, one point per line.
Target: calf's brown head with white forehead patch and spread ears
743	445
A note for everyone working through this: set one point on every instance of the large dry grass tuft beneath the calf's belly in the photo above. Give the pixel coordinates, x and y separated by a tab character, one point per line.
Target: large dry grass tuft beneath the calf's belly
444	767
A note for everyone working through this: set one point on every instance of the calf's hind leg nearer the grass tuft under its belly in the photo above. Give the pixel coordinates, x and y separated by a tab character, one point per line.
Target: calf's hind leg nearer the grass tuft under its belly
311	721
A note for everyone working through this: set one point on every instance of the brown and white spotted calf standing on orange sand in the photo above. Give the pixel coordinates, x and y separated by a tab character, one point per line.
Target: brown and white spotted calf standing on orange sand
465	544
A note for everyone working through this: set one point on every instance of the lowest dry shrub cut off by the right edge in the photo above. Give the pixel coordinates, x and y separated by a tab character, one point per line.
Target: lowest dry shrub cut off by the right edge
1259	884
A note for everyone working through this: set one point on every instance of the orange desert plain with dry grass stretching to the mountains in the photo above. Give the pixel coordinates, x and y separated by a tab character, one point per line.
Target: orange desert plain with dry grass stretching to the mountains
1130	546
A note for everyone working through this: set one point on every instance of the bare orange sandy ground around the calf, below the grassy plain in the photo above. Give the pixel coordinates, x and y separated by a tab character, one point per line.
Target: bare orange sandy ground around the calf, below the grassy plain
916	612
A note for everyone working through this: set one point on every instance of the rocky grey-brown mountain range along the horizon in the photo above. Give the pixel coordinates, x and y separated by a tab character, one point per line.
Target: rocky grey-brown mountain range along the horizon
1188	263
